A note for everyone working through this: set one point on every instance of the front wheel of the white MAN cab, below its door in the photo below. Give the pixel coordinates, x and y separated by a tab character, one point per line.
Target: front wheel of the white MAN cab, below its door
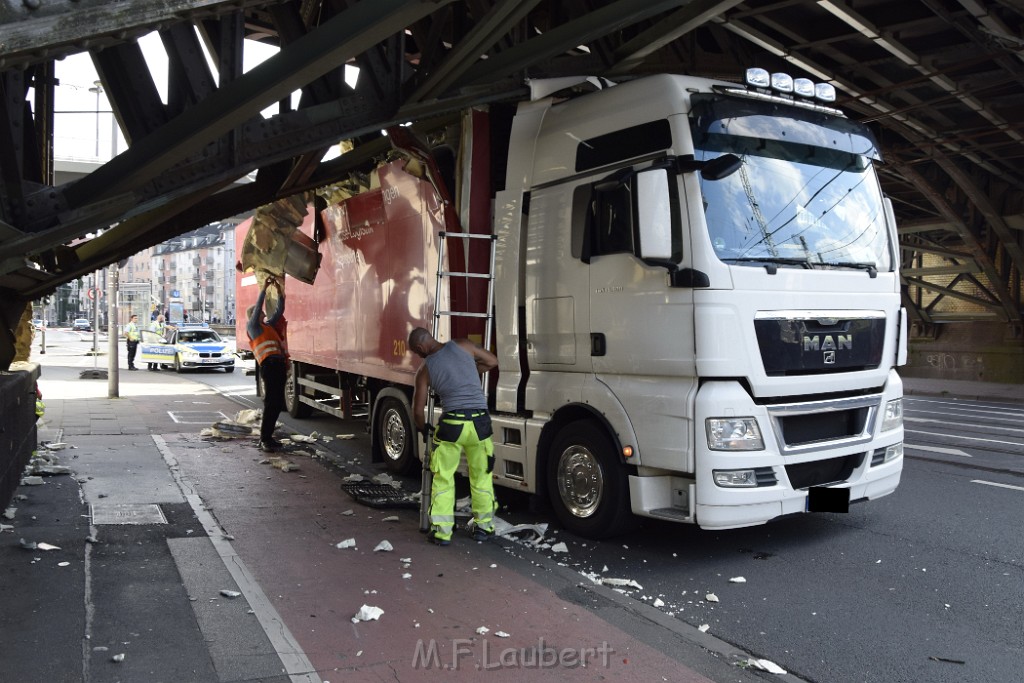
587	485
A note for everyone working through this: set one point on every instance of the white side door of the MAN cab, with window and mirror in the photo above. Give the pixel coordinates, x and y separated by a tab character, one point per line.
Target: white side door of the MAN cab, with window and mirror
642	324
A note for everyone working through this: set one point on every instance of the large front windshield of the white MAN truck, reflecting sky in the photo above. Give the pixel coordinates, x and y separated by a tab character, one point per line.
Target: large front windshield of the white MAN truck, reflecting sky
806	196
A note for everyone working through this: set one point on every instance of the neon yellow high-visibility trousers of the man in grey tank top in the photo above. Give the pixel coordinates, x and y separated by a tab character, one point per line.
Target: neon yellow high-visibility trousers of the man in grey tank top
444	463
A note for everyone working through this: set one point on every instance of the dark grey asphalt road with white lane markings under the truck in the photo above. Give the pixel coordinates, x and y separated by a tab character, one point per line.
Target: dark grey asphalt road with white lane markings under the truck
924	585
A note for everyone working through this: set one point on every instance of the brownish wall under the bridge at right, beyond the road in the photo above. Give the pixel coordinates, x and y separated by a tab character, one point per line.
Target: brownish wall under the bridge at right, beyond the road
974	352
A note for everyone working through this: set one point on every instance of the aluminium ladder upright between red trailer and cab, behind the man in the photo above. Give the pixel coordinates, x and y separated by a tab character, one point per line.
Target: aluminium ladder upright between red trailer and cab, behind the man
443	277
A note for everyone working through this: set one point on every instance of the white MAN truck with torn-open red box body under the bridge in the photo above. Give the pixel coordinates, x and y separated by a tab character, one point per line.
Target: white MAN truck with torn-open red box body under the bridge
697	305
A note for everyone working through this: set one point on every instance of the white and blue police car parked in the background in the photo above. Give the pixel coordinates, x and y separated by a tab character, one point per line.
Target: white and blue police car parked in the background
188	348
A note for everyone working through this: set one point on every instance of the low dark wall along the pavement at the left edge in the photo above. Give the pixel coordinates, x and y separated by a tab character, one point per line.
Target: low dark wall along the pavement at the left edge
18	425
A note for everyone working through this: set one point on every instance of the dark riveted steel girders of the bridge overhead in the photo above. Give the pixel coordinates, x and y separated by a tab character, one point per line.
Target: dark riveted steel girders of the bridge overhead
942	82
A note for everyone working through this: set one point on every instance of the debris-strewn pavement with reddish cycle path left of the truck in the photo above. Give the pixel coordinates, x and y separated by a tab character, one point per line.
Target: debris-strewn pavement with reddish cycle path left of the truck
179	520
